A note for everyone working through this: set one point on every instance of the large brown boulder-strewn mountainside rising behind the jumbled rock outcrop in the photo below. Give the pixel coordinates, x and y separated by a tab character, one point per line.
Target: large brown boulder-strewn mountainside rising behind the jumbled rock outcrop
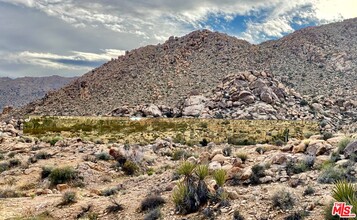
315	61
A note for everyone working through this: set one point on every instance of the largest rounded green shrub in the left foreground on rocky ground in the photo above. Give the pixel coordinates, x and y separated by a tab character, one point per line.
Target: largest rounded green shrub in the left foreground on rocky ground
62	175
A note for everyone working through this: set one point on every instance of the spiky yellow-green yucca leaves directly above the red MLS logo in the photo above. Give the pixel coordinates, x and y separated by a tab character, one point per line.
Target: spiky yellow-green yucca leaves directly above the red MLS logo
344	191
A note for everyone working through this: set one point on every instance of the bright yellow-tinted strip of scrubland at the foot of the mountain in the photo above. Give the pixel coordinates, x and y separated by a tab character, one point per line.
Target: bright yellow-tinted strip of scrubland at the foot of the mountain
183	130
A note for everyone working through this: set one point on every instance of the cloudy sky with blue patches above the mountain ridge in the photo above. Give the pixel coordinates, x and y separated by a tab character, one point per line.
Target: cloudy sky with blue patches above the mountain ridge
70	37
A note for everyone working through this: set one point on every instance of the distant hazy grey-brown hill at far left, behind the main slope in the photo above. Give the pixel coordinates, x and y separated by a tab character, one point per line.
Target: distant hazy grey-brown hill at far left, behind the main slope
21	91
